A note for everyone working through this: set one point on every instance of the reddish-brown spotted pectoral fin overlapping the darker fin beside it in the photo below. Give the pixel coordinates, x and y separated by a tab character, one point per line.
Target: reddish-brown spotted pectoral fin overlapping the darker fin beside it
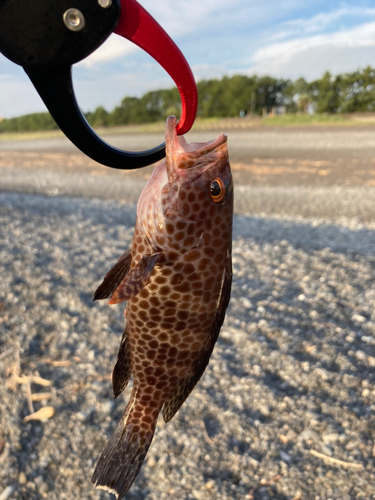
136	280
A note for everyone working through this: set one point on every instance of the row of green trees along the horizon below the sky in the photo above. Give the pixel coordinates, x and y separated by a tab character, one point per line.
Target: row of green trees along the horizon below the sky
228	97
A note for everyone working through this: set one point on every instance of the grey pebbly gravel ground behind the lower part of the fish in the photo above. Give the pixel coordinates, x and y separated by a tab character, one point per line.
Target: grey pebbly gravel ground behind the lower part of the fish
291	380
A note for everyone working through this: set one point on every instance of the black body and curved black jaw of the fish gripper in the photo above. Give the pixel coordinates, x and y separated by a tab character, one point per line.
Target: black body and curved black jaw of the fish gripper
46	37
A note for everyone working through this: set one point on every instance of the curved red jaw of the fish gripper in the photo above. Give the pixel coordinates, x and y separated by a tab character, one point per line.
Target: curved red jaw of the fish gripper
139	27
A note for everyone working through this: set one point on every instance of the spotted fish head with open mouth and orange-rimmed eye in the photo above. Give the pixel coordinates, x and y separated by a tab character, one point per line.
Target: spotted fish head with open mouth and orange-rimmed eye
188	193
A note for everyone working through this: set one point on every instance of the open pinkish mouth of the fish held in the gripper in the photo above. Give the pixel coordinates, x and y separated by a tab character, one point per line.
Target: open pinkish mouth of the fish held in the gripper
182	155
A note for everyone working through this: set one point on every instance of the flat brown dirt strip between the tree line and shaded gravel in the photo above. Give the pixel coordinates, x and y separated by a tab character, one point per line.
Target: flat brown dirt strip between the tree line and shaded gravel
310	171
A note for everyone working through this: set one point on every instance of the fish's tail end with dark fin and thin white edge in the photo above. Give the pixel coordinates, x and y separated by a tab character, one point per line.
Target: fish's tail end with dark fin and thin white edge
126	449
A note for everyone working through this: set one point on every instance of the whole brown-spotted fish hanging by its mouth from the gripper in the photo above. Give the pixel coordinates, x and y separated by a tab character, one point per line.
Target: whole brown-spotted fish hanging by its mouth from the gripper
176	279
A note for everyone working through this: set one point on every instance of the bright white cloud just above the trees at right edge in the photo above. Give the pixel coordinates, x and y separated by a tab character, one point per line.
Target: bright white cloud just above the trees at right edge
310	56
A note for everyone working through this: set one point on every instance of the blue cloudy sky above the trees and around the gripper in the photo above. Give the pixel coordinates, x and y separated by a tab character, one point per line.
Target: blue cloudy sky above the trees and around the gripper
287	39
